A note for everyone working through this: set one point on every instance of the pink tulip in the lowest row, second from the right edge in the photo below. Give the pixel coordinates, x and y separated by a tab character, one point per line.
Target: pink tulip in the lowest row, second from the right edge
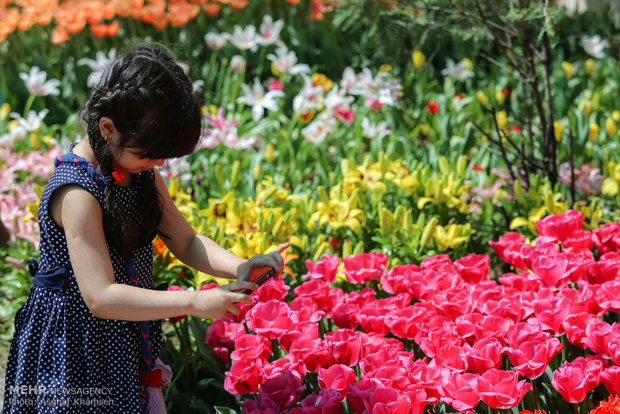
574	379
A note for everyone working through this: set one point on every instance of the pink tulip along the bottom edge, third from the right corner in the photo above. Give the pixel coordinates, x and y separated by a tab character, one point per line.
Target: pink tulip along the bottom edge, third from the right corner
501	389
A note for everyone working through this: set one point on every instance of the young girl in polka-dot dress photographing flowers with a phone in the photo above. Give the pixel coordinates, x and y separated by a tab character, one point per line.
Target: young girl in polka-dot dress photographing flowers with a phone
87	339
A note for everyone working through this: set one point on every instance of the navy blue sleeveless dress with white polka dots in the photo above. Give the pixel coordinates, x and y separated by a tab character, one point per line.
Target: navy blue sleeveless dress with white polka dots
62	358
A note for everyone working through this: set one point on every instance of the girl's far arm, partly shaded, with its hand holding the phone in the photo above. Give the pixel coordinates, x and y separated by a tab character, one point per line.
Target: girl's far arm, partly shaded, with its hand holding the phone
201	252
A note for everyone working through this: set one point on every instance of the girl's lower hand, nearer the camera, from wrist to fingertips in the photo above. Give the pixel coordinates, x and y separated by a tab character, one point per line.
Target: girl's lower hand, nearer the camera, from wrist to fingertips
220	302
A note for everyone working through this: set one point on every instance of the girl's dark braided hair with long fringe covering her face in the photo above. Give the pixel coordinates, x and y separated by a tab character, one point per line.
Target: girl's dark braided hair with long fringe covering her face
150	100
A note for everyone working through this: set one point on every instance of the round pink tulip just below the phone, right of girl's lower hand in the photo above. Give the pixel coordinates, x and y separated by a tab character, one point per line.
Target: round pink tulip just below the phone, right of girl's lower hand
269	319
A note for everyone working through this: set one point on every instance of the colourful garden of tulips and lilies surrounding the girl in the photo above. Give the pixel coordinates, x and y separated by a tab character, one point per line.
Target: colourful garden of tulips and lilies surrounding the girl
452	212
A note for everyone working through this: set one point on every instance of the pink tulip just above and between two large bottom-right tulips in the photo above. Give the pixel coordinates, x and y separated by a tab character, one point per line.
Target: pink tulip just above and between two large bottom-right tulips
531	358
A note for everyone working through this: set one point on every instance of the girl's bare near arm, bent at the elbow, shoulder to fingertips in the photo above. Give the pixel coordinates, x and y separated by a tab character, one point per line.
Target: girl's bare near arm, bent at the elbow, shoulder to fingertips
79	213
